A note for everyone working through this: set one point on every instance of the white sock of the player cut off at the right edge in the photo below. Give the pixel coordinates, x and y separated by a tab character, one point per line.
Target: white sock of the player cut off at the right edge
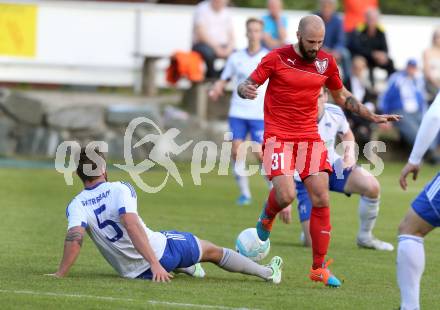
410	266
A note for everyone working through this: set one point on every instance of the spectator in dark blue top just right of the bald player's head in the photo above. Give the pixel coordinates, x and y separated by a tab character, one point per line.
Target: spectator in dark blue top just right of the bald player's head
334	40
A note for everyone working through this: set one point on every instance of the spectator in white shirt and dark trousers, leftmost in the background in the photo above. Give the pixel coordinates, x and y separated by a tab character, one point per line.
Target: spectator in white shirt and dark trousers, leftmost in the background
213	35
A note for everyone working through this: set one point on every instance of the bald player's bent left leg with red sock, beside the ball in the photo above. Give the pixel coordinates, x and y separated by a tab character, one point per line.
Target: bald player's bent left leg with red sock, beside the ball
281	195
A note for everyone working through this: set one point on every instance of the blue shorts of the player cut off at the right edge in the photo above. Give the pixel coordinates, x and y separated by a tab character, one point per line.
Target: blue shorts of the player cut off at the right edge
427	203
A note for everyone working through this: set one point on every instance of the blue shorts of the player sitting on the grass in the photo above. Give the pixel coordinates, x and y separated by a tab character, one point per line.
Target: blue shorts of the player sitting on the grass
182	250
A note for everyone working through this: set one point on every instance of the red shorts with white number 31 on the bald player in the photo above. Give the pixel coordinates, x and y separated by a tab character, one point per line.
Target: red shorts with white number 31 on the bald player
307	157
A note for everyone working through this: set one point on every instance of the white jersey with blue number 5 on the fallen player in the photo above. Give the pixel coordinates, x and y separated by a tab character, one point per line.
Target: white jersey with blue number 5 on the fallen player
98	209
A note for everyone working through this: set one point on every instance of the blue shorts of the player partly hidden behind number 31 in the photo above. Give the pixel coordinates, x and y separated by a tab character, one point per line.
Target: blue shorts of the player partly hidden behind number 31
337	180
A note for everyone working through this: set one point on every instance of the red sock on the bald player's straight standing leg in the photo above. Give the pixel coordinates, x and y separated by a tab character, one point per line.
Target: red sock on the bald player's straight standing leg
320	232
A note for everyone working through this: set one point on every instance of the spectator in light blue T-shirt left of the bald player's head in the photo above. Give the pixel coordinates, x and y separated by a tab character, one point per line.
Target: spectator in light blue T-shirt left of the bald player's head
275	25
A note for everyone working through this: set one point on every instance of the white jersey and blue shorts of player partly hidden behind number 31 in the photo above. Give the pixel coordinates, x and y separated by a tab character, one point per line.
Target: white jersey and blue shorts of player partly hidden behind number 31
332	123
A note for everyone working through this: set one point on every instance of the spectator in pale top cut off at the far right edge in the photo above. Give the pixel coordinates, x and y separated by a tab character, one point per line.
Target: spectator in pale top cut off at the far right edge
431	66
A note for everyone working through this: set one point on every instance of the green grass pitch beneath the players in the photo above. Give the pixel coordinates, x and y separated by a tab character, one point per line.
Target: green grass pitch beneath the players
33	226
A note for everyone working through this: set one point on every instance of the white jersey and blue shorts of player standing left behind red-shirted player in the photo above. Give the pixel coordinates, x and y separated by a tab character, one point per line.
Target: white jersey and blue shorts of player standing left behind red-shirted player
245	116
